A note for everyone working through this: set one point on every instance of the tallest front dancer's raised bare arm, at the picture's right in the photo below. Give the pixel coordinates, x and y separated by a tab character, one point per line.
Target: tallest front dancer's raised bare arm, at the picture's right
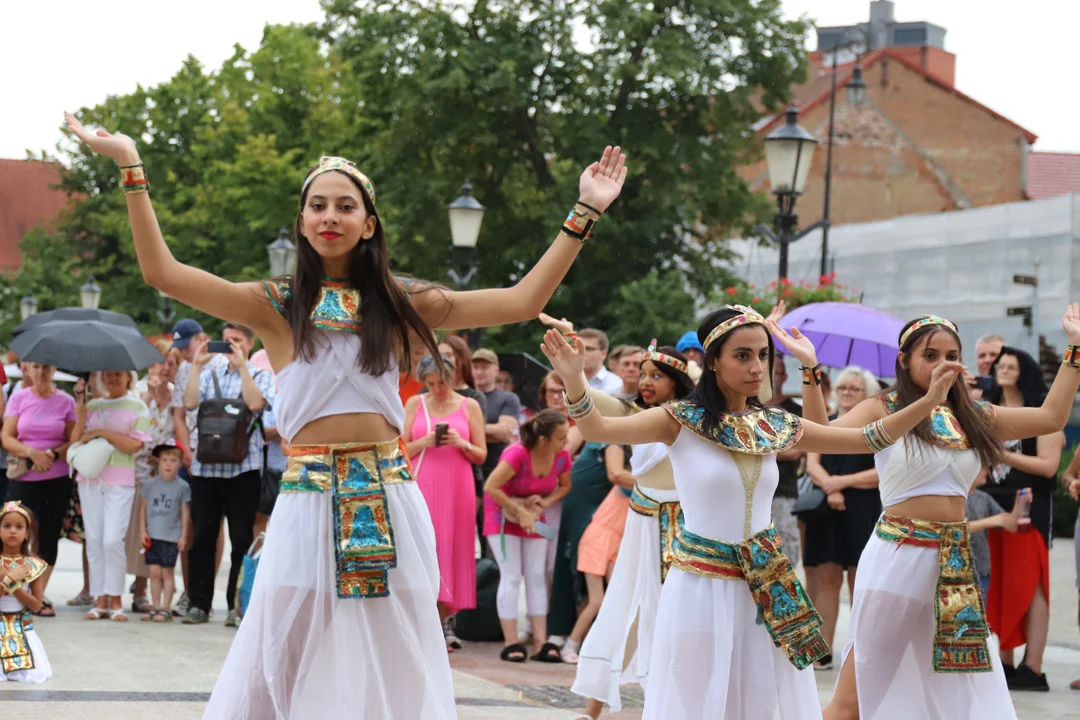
599	187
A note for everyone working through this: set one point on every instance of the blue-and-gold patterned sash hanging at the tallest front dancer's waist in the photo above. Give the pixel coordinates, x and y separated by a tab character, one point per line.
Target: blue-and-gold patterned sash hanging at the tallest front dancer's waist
363	537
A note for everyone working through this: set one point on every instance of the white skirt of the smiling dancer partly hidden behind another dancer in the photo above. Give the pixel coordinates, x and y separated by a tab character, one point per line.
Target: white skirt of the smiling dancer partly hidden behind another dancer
632	597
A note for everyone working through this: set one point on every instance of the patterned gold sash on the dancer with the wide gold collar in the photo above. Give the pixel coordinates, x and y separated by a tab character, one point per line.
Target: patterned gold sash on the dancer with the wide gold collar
782	605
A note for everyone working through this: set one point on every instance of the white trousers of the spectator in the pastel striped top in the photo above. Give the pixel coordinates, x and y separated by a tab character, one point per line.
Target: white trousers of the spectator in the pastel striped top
106	514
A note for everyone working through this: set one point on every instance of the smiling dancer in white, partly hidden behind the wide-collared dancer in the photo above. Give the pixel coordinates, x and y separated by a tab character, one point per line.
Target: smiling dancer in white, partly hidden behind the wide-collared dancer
618	646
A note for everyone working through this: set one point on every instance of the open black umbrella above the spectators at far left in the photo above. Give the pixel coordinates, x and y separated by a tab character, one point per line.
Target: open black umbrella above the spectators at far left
86	346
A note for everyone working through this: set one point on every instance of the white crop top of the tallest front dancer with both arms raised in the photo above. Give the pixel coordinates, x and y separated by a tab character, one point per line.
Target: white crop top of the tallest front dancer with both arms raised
333	384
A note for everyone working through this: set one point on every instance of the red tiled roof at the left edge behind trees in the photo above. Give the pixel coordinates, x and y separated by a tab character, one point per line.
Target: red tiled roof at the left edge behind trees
28	199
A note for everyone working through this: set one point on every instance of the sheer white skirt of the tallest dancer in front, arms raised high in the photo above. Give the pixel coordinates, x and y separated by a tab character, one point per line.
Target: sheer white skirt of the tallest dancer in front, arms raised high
303	654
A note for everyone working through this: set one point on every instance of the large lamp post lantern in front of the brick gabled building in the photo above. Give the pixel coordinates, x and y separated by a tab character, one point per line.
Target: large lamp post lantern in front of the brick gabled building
789	152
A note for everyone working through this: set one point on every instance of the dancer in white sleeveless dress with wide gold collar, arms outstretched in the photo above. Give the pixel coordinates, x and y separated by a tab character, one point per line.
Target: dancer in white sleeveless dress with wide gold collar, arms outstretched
735	630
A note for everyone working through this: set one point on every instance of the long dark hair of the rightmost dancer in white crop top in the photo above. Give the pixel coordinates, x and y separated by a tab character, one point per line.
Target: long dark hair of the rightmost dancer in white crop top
977	427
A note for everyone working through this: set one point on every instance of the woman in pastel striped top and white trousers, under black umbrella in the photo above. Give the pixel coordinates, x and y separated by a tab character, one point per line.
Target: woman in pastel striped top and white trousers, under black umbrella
123	420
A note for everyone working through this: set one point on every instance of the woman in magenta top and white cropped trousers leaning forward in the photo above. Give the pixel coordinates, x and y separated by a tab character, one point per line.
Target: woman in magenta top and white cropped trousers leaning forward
531	477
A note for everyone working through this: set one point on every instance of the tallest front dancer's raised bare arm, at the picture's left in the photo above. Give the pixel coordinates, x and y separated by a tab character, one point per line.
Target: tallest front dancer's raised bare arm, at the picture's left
238	303
